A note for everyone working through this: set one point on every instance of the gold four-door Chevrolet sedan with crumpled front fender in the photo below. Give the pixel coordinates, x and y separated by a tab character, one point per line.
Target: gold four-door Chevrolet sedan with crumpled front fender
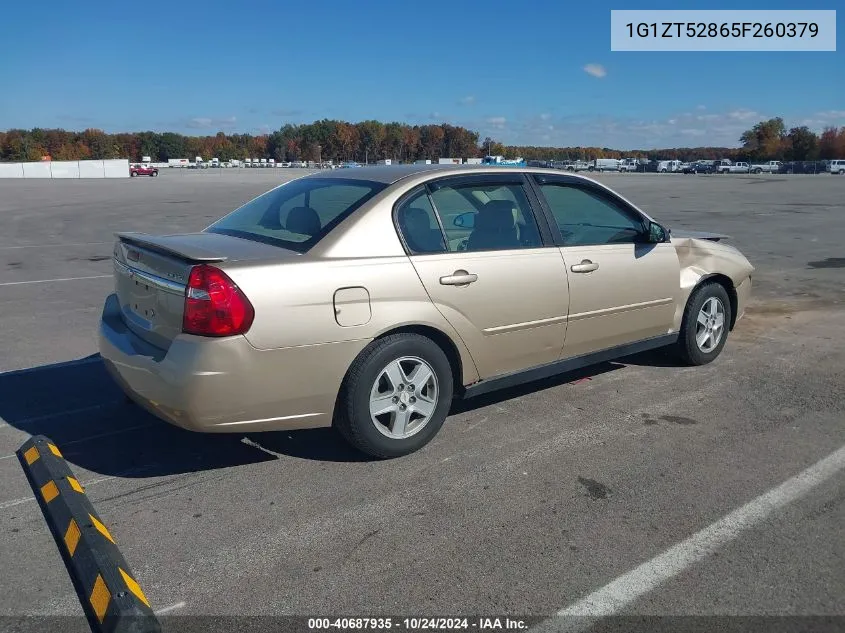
367	299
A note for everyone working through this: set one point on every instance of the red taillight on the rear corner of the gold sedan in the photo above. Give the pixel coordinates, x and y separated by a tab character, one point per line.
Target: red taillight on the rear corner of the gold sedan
214	305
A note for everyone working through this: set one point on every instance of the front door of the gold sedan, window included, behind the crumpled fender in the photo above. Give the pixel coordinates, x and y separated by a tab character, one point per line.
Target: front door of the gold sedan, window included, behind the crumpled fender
622	288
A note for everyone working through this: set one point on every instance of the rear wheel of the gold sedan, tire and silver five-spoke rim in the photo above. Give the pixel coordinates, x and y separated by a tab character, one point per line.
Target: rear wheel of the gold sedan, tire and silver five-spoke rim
395	397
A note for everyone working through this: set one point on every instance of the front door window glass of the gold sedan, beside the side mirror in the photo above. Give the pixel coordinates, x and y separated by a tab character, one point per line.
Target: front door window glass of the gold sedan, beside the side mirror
586	217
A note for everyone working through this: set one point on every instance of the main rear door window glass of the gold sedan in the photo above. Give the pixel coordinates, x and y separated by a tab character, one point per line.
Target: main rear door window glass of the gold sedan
485	216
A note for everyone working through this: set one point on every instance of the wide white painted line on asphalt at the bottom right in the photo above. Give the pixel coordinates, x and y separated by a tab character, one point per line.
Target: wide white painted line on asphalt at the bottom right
631	586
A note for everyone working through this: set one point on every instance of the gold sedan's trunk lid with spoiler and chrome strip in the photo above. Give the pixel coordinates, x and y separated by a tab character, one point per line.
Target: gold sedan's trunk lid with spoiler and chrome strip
151	274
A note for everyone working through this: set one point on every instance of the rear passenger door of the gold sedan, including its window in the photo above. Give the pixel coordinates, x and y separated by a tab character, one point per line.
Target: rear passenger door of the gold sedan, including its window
489	267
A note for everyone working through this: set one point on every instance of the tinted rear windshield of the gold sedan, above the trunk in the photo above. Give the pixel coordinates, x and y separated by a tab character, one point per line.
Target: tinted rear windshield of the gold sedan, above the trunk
297	214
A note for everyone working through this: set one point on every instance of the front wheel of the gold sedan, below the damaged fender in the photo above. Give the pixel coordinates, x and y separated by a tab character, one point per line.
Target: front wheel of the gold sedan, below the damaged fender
705	326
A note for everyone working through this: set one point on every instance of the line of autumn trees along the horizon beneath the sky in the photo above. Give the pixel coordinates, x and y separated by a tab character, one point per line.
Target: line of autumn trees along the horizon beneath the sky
368	141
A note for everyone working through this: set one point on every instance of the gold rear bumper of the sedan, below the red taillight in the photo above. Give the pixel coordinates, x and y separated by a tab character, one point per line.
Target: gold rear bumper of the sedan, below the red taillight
225	385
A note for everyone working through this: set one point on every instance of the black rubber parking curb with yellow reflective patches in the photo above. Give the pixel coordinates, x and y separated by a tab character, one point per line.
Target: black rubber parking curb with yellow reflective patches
110	595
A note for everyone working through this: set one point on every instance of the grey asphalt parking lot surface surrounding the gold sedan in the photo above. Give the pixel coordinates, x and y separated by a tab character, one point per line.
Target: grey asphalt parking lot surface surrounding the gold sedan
525	503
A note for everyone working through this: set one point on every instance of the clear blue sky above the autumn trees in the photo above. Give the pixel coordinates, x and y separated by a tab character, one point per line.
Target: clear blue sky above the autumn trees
515	70
